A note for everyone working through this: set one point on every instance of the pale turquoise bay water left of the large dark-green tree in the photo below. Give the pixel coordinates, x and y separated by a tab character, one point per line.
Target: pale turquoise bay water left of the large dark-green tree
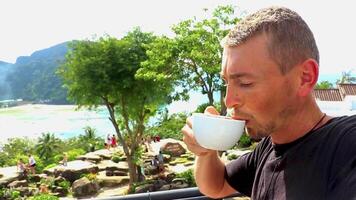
62	120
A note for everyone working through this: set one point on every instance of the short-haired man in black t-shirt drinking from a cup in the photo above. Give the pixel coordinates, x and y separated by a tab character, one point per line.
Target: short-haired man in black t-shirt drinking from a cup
270	66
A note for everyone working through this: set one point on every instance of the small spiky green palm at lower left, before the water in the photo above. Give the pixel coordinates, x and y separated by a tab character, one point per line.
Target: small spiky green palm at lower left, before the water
47	146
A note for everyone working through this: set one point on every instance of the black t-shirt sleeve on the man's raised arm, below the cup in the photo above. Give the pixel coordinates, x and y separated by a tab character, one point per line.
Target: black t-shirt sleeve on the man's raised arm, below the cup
240	173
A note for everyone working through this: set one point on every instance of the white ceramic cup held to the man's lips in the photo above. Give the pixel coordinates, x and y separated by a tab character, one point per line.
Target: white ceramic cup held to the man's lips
217	132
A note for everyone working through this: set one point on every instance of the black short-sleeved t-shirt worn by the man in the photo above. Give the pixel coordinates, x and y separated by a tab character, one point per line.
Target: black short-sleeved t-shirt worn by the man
319	165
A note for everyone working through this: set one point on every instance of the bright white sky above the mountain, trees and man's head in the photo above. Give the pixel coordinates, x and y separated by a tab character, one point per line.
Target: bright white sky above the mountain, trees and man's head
30	25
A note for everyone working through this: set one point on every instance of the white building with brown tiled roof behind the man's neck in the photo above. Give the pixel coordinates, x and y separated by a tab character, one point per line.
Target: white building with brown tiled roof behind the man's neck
339	101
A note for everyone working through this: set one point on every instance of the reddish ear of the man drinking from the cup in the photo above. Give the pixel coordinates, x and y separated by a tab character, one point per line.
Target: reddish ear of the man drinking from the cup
309	72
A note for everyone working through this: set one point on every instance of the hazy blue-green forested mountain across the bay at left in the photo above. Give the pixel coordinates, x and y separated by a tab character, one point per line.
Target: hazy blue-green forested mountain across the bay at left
33	77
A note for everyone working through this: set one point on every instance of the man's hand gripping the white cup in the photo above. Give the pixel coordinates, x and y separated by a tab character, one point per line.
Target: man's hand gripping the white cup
189	138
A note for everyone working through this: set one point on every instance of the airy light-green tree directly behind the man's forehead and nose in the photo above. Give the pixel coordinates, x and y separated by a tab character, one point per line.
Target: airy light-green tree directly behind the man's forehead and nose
194	54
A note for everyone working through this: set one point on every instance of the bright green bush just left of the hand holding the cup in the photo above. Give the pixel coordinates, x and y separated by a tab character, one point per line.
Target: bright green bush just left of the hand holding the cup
168	126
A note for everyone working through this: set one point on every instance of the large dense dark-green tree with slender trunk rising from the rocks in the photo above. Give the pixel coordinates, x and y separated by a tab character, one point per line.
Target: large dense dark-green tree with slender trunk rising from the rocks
104	72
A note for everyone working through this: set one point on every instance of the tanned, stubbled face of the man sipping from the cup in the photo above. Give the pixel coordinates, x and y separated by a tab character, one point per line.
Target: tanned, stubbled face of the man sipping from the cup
256	89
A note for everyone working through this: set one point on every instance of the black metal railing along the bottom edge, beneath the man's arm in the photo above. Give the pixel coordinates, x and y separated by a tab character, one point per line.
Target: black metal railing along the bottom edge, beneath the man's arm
182	194
